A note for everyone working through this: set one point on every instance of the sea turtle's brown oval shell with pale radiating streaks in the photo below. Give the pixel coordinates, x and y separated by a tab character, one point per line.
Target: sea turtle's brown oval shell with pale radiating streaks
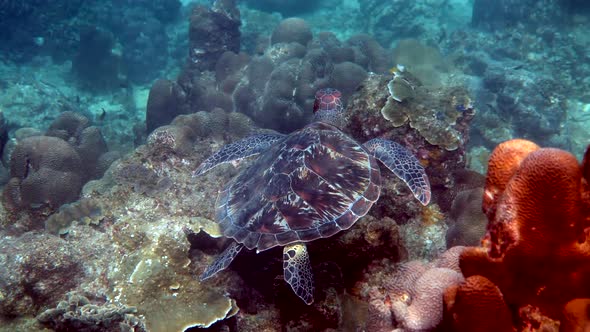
313	184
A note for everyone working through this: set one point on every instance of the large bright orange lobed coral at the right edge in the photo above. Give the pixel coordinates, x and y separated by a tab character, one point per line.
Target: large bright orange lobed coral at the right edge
537	245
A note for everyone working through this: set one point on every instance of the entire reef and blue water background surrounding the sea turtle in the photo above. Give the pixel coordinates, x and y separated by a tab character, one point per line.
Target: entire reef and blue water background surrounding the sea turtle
108	107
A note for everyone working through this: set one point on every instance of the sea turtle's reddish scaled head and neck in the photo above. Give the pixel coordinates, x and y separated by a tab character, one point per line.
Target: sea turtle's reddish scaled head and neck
328	107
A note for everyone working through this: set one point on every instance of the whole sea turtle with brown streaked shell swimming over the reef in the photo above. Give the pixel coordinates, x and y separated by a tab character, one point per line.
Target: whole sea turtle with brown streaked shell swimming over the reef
306	185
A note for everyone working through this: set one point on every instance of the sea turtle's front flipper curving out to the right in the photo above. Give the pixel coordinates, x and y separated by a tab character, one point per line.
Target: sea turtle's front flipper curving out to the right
403	164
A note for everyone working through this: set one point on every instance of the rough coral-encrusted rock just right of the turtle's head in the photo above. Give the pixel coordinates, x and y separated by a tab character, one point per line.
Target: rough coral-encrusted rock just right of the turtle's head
367	121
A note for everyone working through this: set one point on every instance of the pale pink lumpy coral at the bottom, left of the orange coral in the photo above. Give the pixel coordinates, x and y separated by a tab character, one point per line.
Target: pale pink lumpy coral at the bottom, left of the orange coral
409	296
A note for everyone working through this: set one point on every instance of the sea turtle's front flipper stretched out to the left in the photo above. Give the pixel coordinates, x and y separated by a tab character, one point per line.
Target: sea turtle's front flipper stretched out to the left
243	148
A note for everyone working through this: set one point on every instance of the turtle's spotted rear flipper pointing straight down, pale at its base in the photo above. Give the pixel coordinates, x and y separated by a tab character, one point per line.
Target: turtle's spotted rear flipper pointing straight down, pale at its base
297	269
